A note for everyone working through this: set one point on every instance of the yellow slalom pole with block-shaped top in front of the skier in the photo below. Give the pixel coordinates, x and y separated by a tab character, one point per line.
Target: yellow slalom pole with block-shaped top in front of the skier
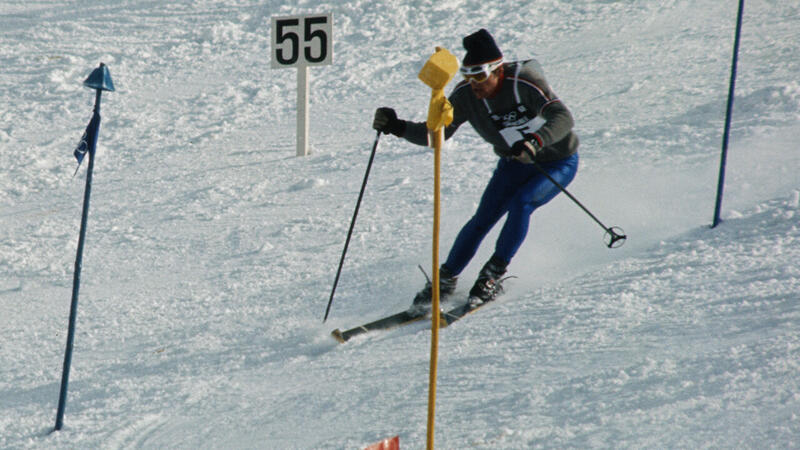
437	72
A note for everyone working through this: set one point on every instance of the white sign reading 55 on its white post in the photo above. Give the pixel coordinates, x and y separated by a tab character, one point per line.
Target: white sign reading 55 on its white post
302	41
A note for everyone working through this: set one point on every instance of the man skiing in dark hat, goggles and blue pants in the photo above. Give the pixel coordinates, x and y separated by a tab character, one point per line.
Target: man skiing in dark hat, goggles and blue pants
511	106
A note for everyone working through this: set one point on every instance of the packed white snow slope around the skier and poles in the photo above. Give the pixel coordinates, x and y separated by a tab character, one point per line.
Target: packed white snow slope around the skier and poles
212	249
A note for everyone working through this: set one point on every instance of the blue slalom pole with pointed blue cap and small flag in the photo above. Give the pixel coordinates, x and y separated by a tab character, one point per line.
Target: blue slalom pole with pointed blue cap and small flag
100	80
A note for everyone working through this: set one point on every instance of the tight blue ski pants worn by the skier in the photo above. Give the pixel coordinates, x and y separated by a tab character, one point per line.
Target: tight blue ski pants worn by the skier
516	189
